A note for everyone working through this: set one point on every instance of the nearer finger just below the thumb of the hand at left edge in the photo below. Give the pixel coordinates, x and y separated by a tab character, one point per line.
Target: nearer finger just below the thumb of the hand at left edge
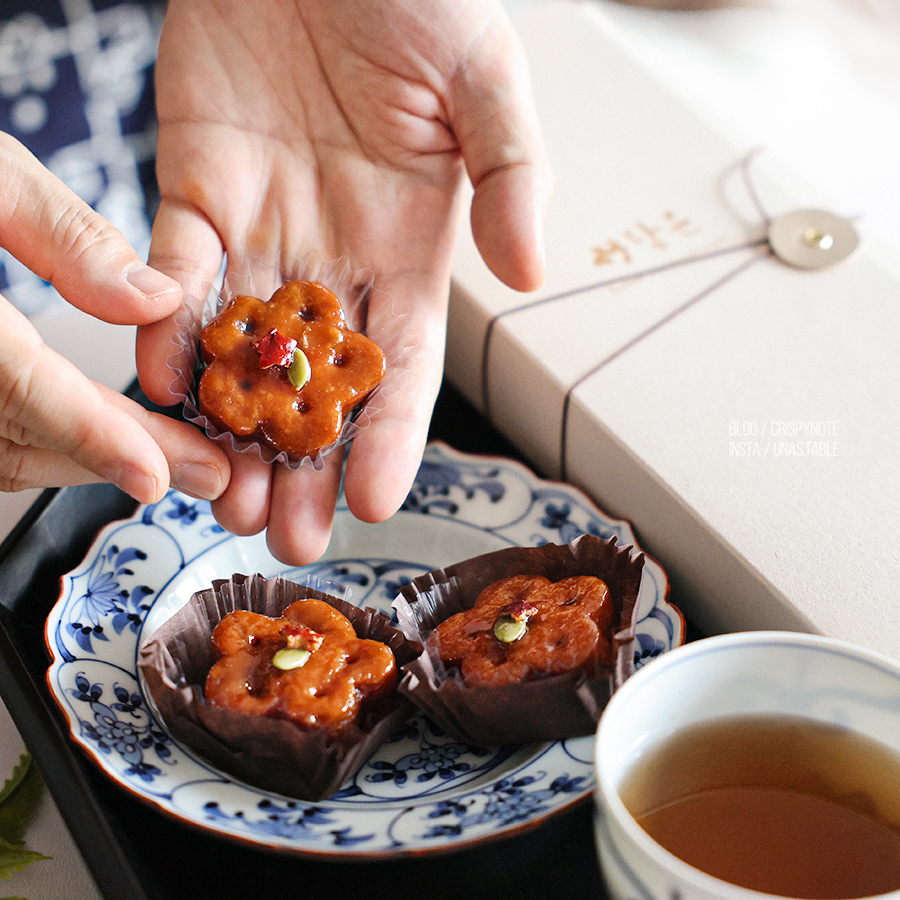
48	404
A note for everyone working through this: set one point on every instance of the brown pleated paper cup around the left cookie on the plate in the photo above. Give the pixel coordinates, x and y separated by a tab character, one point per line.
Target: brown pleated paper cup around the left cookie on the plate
271	754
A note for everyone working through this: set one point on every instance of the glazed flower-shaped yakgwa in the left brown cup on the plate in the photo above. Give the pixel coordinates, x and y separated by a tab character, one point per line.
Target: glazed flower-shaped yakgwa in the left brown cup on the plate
323	688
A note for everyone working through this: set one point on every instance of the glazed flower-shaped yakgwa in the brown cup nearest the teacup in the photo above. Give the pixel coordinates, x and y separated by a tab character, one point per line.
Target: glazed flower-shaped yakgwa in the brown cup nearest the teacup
526	627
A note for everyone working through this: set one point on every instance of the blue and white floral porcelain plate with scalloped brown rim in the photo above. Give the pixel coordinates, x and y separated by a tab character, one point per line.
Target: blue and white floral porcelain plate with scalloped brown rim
421	792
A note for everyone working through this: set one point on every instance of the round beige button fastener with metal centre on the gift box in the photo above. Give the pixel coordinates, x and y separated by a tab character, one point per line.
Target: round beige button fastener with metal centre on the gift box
812	238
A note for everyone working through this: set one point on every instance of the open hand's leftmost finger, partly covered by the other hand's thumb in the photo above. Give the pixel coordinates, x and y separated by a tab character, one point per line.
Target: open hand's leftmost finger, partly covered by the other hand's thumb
186	247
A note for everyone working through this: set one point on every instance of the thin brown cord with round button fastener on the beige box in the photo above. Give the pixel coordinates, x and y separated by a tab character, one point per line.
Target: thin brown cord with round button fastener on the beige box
805	239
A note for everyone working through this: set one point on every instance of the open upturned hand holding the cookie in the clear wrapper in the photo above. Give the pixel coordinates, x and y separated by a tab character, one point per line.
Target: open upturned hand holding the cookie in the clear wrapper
344	126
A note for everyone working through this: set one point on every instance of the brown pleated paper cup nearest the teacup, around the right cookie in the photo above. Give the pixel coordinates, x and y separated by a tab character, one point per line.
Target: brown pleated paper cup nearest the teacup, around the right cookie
544	709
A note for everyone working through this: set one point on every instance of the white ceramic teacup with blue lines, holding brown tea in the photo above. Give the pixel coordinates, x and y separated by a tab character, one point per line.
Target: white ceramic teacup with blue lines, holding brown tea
749	673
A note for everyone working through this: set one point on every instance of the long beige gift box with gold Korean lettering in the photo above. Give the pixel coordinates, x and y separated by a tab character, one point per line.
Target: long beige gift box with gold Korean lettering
740	411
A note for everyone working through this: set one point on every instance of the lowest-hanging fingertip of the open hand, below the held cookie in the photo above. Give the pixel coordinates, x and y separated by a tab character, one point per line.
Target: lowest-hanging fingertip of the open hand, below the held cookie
302	511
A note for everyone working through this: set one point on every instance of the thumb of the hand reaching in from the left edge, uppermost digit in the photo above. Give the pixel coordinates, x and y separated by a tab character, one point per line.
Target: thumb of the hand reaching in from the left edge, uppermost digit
61	239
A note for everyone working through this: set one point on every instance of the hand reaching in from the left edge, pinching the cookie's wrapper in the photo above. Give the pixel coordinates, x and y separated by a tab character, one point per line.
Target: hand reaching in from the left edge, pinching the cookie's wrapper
56	426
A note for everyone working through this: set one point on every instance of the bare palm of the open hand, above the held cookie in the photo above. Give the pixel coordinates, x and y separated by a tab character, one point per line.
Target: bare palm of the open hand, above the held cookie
315	133
